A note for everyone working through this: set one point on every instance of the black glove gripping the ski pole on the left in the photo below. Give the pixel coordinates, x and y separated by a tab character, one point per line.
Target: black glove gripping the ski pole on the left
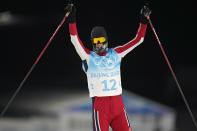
72	16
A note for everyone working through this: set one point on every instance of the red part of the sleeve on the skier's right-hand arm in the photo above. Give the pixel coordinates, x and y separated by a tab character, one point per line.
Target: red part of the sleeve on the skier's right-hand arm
140	34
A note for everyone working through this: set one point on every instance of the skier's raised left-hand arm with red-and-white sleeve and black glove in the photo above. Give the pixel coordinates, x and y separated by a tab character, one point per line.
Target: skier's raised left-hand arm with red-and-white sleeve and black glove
81	50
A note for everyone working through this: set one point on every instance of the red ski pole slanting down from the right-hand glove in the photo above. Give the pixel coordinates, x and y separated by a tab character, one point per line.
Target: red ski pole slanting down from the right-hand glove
173	74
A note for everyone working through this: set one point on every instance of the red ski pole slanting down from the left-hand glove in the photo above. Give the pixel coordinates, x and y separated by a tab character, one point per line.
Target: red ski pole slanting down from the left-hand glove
33	66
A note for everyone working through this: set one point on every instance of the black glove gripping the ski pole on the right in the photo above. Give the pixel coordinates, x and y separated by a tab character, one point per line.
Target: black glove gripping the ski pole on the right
144	13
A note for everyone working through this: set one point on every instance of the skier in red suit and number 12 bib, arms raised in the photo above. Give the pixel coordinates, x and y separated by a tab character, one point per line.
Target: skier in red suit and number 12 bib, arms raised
102	67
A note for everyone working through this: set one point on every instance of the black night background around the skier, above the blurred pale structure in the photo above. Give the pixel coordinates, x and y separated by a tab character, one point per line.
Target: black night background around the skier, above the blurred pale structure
144	70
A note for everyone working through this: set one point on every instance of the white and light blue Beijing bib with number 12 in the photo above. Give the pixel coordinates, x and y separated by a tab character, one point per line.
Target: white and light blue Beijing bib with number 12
103	74
